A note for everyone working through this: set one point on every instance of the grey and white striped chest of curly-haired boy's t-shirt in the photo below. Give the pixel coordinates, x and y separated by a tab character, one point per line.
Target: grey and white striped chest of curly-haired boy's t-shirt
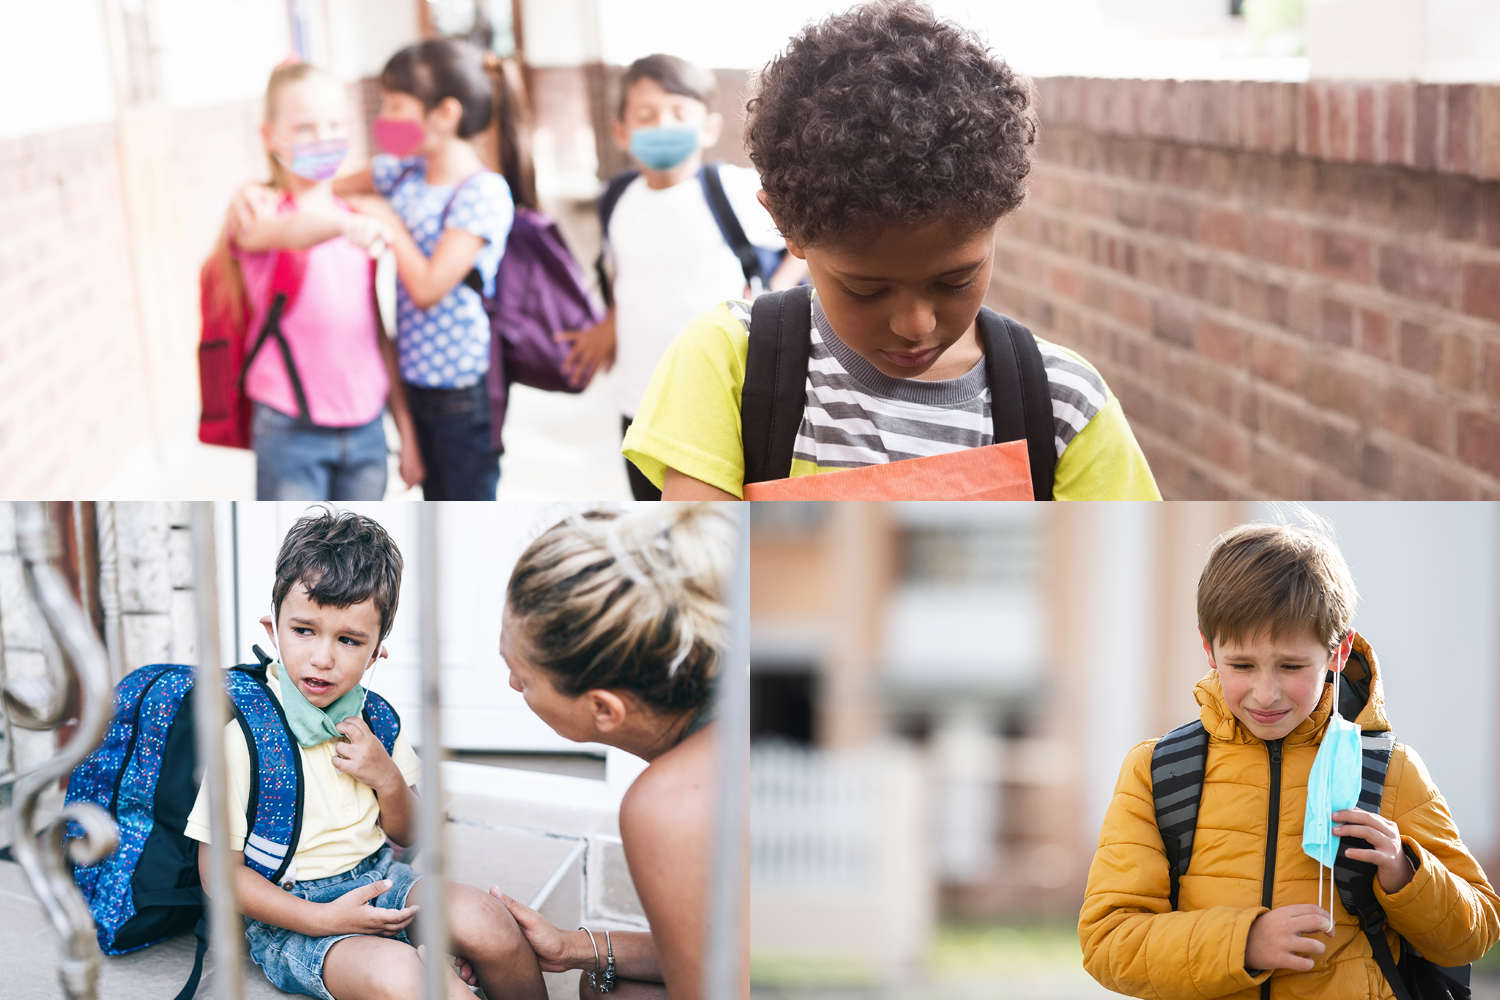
859	416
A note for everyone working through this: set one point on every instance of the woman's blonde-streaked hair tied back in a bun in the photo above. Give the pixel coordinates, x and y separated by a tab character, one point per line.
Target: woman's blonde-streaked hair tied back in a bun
631	602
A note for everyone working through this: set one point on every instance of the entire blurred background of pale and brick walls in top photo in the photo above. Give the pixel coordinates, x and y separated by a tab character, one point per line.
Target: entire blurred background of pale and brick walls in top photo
1273	224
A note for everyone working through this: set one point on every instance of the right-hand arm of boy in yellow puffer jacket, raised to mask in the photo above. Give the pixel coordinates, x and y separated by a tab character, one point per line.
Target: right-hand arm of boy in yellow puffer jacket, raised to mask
1448	909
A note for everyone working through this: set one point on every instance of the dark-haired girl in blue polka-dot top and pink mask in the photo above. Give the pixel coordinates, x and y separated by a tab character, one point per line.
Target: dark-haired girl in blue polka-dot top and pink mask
449	217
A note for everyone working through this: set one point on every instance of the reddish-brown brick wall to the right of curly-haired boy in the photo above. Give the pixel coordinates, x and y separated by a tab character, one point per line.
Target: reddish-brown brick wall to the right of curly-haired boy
1294	289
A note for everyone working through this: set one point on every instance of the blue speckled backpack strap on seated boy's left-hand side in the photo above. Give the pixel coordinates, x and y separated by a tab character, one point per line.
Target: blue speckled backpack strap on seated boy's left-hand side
274	813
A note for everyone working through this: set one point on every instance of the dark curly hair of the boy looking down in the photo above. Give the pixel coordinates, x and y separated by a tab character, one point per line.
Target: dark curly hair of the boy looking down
887	115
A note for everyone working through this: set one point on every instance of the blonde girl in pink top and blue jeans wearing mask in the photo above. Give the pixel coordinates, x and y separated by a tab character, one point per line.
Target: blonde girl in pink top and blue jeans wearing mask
322	389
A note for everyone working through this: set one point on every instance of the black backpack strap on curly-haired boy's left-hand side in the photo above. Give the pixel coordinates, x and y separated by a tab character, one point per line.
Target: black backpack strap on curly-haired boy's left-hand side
775	397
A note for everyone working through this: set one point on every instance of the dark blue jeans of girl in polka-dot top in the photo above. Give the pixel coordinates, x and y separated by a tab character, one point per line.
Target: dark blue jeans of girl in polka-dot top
454	436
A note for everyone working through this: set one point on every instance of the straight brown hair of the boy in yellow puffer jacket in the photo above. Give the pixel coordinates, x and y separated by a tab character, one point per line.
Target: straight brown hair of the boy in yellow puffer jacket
1276	578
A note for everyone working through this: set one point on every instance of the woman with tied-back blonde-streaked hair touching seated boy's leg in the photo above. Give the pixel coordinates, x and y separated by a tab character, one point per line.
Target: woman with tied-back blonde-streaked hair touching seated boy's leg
614	632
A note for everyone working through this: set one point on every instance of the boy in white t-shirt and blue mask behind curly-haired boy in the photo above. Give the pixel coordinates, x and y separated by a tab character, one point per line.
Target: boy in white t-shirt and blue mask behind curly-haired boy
673	259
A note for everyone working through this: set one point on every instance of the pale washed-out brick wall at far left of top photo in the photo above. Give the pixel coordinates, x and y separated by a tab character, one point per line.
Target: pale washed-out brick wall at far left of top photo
73	383
